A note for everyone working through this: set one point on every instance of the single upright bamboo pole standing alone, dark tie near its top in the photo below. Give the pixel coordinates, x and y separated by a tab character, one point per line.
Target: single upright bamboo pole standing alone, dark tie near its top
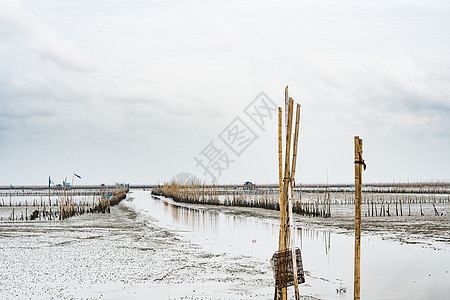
358	181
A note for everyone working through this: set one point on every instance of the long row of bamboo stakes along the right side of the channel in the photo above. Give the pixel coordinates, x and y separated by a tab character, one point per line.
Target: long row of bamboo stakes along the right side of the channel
317	202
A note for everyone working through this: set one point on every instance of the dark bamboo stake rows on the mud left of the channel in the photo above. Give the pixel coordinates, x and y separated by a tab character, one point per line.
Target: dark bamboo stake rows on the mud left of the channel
65	206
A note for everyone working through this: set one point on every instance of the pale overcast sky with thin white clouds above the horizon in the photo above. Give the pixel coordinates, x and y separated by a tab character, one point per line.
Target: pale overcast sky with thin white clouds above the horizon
134	91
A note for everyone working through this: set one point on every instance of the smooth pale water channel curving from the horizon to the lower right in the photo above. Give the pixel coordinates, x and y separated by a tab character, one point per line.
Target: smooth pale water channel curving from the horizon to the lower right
389	269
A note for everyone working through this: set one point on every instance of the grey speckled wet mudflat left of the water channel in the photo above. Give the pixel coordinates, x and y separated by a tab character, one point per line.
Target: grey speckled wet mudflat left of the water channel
122	255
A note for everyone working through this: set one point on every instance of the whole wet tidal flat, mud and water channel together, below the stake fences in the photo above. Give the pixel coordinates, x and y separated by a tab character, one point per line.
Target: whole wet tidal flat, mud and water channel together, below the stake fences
152	248
